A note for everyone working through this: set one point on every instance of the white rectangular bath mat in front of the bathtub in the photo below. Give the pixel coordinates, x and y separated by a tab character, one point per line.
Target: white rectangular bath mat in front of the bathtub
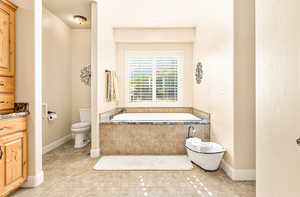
144	162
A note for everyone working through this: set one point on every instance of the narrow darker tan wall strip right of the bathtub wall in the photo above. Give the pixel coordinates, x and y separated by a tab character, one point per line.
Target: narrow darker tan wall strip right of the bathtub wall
244	84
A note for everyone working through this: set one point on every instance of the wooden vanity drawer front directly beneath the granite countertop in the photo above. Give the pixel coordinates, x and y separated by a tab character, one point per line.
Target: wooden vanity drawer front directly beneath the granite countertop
11	125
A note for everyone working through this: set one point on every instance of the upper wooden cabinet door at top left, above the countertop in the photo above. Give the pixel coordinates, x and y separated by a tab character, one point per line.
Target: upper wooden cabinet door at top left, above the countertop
7	40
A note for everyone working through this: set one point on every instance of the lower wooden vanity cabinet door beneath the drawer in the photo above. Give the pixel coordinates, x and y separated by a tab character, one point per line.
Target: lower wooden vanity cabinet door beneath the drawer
13	164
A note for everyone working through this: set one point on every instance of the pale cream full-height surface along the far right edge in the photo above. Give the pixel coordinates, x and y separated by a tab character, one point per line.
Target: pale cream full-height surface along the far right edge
278	106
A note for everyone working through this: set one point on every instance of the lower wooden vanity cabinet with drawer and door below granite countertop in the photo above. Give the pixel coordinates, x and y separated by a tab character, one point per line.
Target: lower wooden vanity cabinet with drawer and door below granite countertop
13	154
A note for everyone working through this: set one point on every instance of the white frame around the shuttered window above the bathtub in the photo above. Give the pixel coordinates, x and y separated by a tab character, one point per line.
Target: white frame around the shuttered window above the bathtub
153	54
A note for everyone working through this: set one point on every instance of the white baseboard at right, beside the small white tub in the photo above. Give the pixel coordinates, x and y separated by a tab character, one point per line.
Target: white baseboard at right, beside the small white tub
238	174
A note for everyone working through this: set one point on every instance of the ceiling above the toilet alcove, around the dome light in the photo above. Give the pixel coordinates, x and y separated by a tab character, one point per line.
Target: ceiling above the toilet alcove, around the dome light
66	9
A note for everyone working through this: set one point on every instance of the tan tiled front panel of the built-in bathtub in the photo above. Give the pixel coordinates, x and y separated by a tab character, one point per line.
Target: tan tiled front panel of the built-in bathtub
127	139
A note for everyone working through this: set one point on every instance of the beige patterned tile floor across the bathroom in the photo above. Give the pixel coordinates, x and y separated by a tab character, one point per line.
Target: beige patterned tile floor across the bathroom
69	173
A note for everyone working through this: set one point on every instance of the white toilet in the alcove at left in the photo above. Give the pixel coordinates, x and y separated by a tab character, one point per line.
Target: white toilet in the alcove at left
81	130
